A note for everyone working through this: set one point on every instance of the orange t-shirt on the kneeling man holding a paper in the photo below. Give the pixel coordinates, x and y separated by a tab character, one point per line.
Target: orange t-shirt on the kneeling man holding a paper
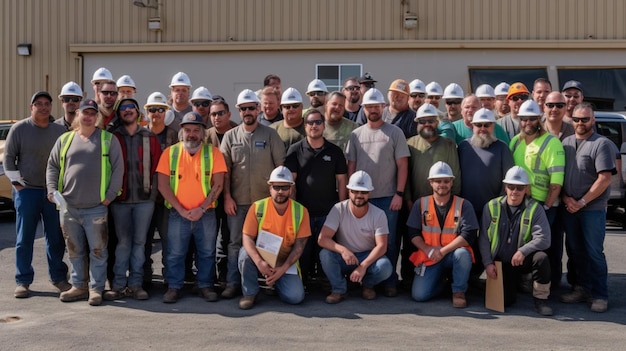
278	225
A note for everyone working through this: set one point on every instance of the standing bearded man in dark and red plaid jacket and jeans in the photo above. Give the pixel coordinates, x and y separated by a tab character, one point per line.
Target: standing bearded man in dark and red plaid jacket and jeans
141	151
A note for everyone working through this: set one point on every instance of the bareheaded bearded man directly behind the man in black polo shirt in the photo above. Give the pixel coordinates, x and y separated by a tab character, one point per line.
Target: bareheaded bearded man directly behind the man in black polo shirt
338	128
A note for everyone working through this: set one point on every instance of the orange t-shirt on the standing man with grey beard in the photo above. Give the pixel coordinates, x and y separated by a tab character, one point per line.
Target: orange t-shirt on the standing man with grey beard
190	183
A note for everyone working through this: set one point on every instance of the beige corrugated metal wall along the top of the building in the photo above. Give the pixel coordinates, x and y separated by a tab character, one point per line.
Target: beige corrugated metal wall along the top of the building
51	26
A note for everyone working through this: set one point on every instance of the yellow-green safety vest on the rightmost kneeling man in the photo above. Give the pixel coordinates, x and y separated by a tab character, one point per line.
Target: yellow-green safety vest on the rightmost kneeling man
525	233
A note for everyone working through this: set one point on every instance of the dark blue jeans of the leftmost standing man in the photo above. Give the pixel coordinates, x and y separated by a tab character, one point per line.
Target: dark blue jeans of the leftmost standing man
31	207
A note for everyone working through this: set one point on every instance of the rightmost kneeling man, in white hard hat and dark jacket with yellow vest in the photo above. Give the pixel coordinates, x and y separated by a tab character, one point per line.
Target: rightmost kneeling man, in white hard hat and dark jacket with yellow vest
515	231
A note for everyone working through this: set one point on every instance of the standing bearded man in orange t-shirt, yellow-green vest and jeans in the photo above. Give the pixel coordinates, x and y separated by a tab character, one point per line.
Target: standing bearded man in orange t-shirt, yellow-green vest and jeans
191	177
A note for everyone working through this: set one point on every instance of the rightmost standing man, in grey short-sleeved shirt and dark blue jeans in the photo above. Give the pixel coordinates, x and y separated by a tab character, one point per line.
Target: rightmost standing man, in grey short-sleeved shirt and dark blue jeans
590	163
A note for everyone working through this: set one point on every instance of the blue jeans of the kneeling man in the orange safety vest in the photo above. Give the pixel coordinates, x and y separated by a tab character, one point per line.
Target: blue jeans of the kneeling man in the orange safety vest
429	285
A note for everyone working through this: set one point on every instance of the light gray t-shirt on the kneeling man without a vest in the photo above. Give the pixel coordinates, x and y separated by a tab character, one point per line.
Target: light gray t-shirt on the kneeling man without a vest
356	234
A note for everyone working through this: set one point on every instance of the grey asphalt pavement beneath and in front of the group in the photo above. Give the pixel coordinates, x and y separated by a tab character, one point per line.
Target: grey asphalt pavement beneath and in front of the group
44	322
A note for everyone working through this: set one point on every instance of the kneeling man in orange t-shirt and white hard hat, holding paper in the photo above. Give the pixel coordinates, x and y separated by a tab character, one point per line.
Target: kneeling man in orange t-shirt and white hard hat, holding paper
283	219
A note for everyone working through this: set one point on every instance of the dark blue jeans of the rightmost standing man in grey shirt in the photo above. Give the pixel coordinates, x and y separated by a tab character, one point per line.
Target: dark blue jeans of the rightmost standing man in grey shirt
585	231
